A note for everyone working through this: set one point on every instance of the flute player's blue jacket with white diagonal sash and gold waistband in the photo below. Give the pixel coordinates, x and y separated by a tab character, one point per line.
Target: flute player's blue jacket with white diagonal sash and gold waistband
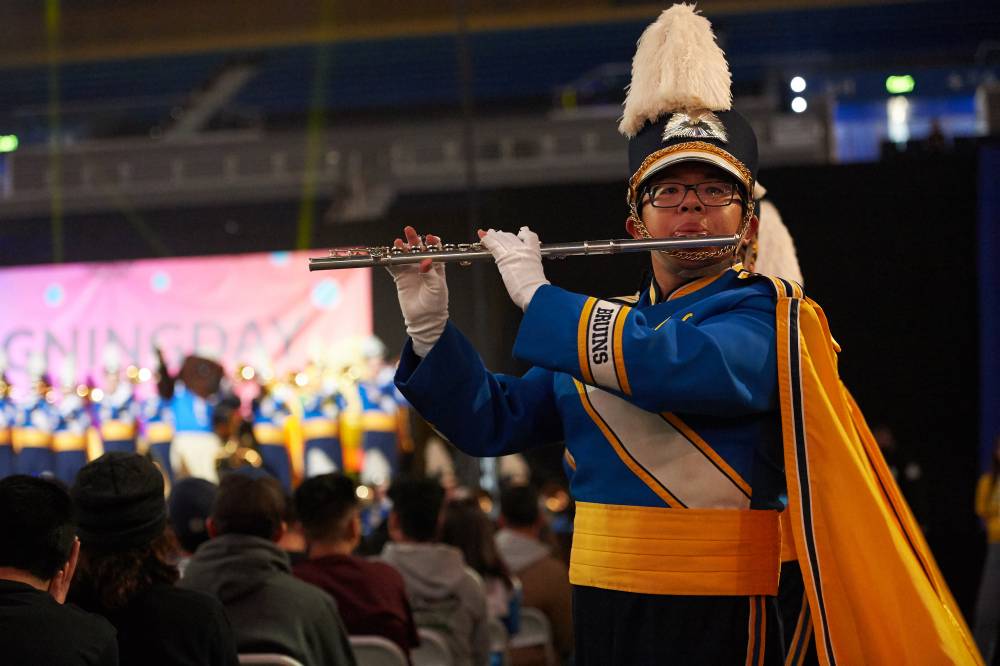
668	408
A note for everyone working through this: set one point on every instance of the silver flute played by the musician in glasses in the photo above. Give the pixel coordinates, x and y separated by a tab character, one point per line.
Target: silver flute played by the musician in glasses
466	253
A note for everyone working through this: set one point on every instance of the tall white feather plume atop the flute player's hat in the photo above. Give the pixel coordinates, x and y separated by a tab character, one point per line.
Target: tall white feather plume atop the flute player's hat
678	66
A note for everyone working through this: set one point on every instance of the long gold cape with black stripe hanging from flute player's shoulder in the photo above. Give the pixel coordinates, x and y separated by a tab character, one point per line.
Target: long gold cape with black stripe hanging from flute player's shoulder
875	593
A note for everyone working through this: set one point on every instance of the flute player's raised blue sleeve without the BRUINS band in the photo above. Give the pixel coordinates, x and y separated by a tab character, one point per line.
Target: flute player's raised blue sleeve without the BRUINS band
482	413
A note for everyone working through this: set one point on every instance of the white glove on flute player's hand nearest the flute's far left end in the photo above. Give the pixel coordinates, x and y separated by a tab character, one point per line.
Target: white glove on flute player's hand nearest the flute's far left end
423	298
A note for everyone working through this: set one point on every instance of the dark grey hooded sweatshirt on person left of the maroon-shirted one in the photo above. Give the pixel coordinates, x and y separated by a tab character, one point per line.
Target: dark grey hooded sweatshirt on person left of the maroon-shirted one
271	611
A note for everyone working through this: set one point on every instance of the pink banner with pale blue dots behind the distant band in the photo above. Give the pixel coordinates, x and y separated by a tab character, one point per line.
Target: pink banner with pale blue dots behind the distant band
235	309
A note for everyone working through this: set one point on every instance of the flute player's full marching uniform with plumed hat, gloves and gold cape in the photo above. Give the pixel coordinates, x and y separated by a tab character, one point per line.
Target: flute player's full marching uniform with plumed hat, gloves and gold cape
686	416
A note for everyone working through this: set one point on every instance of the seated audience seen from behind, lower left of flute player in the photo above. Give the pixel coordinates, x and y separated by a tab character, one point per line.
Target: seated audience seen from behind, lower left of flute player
123	572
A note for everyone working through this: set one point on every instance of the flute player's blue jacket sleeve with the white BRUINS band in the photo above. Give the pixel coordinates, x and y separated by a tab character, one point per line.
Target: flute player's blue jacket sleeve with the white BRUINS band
725	364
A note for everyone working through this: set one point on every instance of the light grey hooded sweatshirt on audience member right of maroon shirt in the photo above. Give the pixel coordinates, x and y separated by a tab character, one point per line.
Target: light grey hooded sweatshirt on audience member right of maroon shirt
445	596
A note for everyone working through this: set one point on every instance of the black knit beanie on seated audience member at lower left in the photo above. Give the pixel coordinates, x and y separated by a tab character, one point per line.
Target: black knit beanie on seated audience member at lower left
119	502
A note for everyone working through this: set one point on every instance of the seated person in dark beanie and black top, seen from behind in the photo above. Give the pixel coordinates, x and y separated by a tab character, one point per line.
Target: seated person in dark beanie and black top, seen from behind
127	573
